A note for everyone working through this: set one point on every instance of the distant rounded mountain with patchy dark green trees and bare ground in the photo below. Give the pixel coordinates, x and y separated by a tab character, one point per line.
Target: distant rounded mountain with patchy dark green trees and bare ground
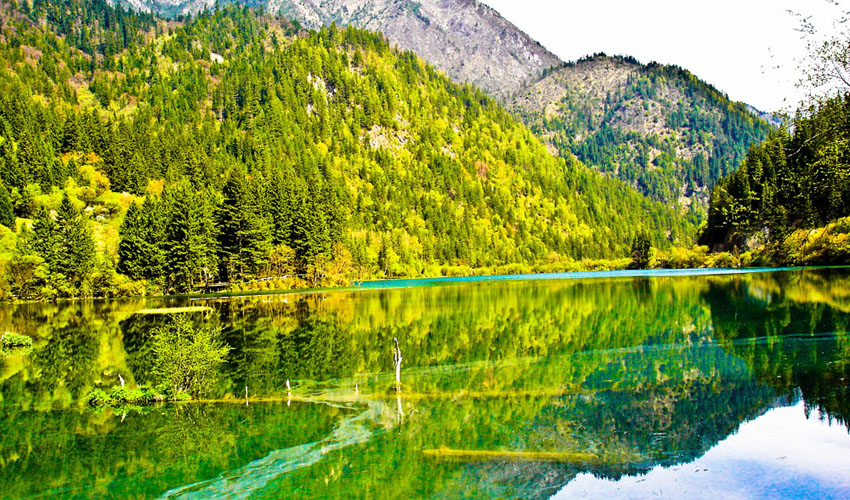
659	128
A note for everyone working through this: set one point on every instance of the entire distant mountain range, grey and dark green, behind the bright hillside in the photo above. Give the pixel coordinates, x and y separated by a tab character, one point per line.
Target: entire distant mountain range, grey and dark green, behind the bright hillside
658	128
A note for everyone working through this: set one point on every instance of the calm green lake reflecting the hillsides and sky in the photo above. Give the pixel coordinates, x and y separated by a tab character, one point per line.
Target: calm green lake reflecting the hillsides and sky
676	385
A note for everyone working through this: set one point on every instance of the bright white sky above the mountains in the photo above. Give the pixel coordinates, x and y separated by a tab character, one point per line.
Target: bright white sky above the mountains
749	49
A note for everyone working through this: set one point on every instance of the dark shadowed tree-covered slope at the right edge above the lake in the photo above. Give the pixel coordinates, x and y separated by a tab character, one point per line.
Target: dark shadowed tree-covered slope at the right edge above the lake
788	186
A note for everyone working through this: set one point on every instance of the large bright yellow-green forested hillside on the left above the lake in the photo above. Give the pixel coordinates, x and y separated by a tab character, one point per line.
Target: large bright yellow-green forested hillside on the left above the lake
237	146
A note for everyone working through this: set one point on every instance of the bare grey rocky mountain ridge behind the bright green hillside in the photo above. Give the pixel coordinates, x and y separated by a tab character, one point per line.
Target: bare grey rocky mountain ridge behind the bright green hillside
468	40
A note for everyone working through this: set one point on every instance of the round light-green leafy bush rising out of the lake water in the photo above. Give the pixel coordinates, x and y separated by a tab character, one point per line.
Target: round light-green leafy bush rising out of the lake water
186	357
